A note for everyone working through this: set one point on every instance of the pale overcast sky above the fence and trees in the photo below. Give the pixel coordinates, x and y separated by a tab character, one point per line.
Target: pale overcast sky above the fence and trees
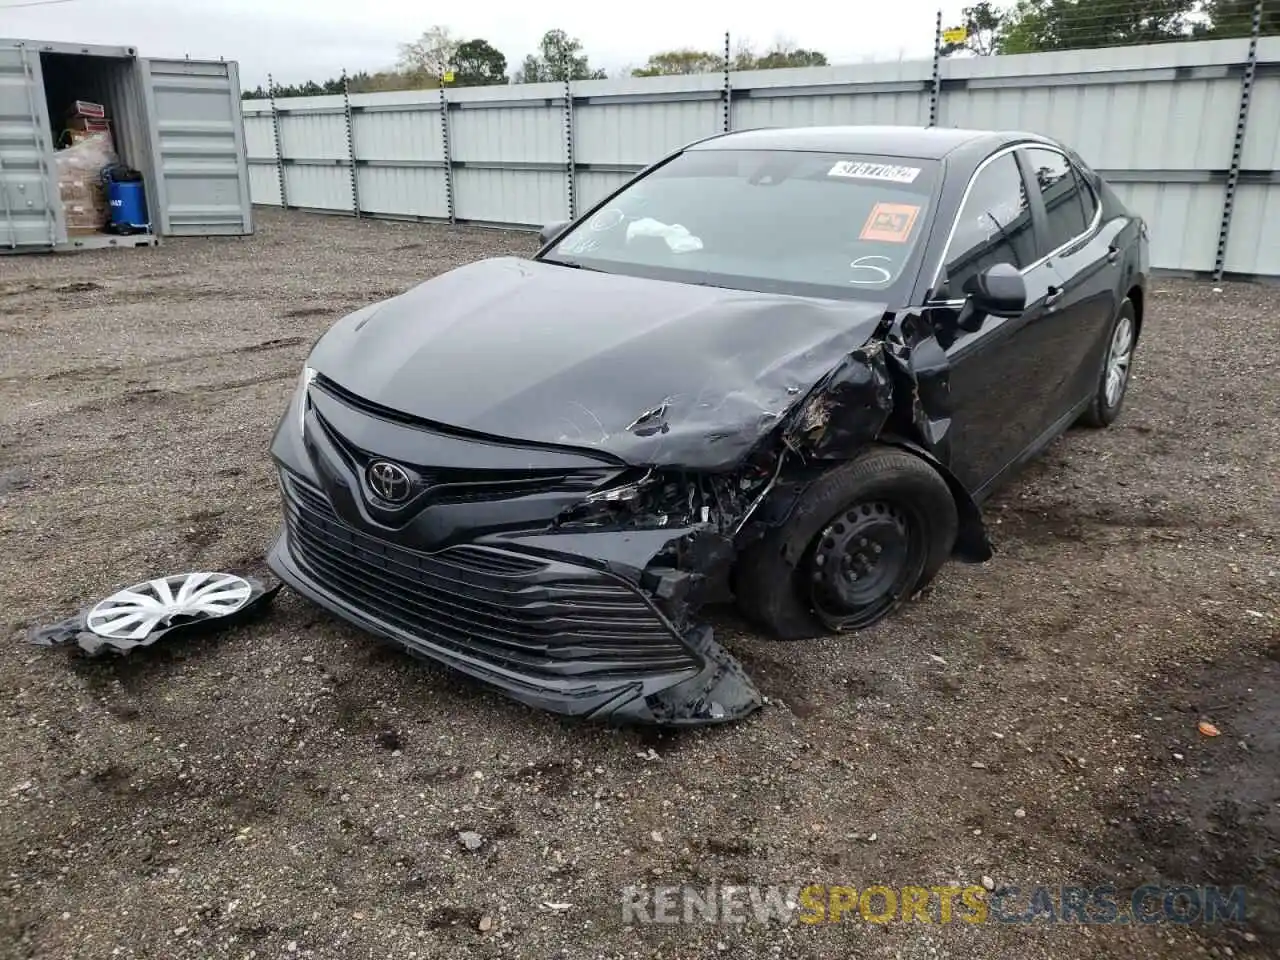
301	40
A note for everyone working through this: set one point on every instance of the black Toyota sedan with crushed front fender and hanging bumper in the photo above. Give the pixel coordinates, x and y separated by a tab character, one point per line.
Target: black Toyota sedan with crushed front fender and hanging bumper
779	367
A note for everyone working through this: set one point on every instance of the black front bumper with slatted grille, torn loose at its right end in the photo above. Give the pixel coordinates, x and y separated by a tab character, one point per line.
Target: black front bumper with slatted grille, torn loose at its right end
552	630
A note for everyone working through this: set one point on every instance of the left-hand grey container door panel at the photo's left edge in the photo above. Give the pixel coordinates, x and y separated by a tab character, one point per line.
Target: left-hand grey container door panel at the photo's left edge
31	211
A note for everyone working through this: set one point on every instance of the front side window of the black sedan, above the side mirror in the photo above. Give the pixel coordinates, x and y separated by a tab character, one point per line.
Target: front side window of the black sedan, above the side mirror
995	226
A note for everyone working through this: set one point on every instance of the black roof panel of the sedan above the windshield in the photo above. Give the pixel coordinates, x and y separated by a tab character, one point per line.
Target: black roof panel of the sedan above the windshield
921	143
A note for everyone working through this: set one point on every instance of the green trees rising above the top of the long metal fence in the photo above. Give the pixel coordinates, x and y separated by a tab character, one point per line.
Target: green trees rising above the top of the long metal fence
1023	28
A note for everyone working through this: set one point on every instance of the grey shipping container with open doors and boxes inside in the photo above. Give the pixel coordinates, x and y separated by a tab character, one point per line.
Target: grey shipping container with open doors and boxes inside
175	122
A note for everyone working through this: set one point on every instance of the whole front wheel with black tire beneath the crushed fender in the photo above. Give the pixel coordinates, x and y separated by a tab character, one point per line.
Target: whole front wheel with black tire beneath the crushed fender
863	538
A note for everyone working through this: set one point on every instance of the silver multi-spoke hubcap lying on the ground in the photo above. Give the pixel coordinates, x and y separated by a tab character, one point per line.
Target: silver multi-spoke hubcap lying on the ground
136	611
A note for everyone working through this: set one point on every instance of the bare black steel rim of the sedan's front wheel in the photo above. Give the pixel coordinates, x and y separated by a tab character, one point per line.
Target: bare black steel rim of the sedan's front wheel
861	560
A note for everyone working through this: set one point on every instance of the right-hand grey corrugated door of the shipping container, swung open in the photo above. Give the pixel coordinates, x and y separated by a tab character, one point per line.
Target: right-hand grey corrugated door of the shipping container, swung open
198	148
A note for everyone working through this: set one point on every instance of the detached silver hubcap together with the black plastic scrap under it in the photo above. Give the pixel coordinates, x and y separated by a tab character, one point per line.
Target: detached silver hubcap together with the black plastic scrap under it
92	630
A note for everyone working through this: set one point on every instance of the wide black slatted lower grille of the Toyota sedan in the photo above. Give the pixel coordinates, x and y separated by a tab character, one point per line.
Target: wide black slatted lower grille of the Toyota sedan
540	618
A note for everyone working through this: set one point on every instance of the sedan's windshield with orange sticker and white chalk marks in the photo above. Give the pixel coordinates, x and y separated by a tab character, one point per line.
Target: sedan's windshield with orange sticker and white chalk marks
785	222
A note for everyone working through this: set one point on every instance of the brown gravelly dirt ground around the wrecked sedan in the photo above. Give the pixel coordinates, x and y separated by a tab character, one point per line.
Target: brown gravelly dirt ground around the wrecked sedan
294	789
